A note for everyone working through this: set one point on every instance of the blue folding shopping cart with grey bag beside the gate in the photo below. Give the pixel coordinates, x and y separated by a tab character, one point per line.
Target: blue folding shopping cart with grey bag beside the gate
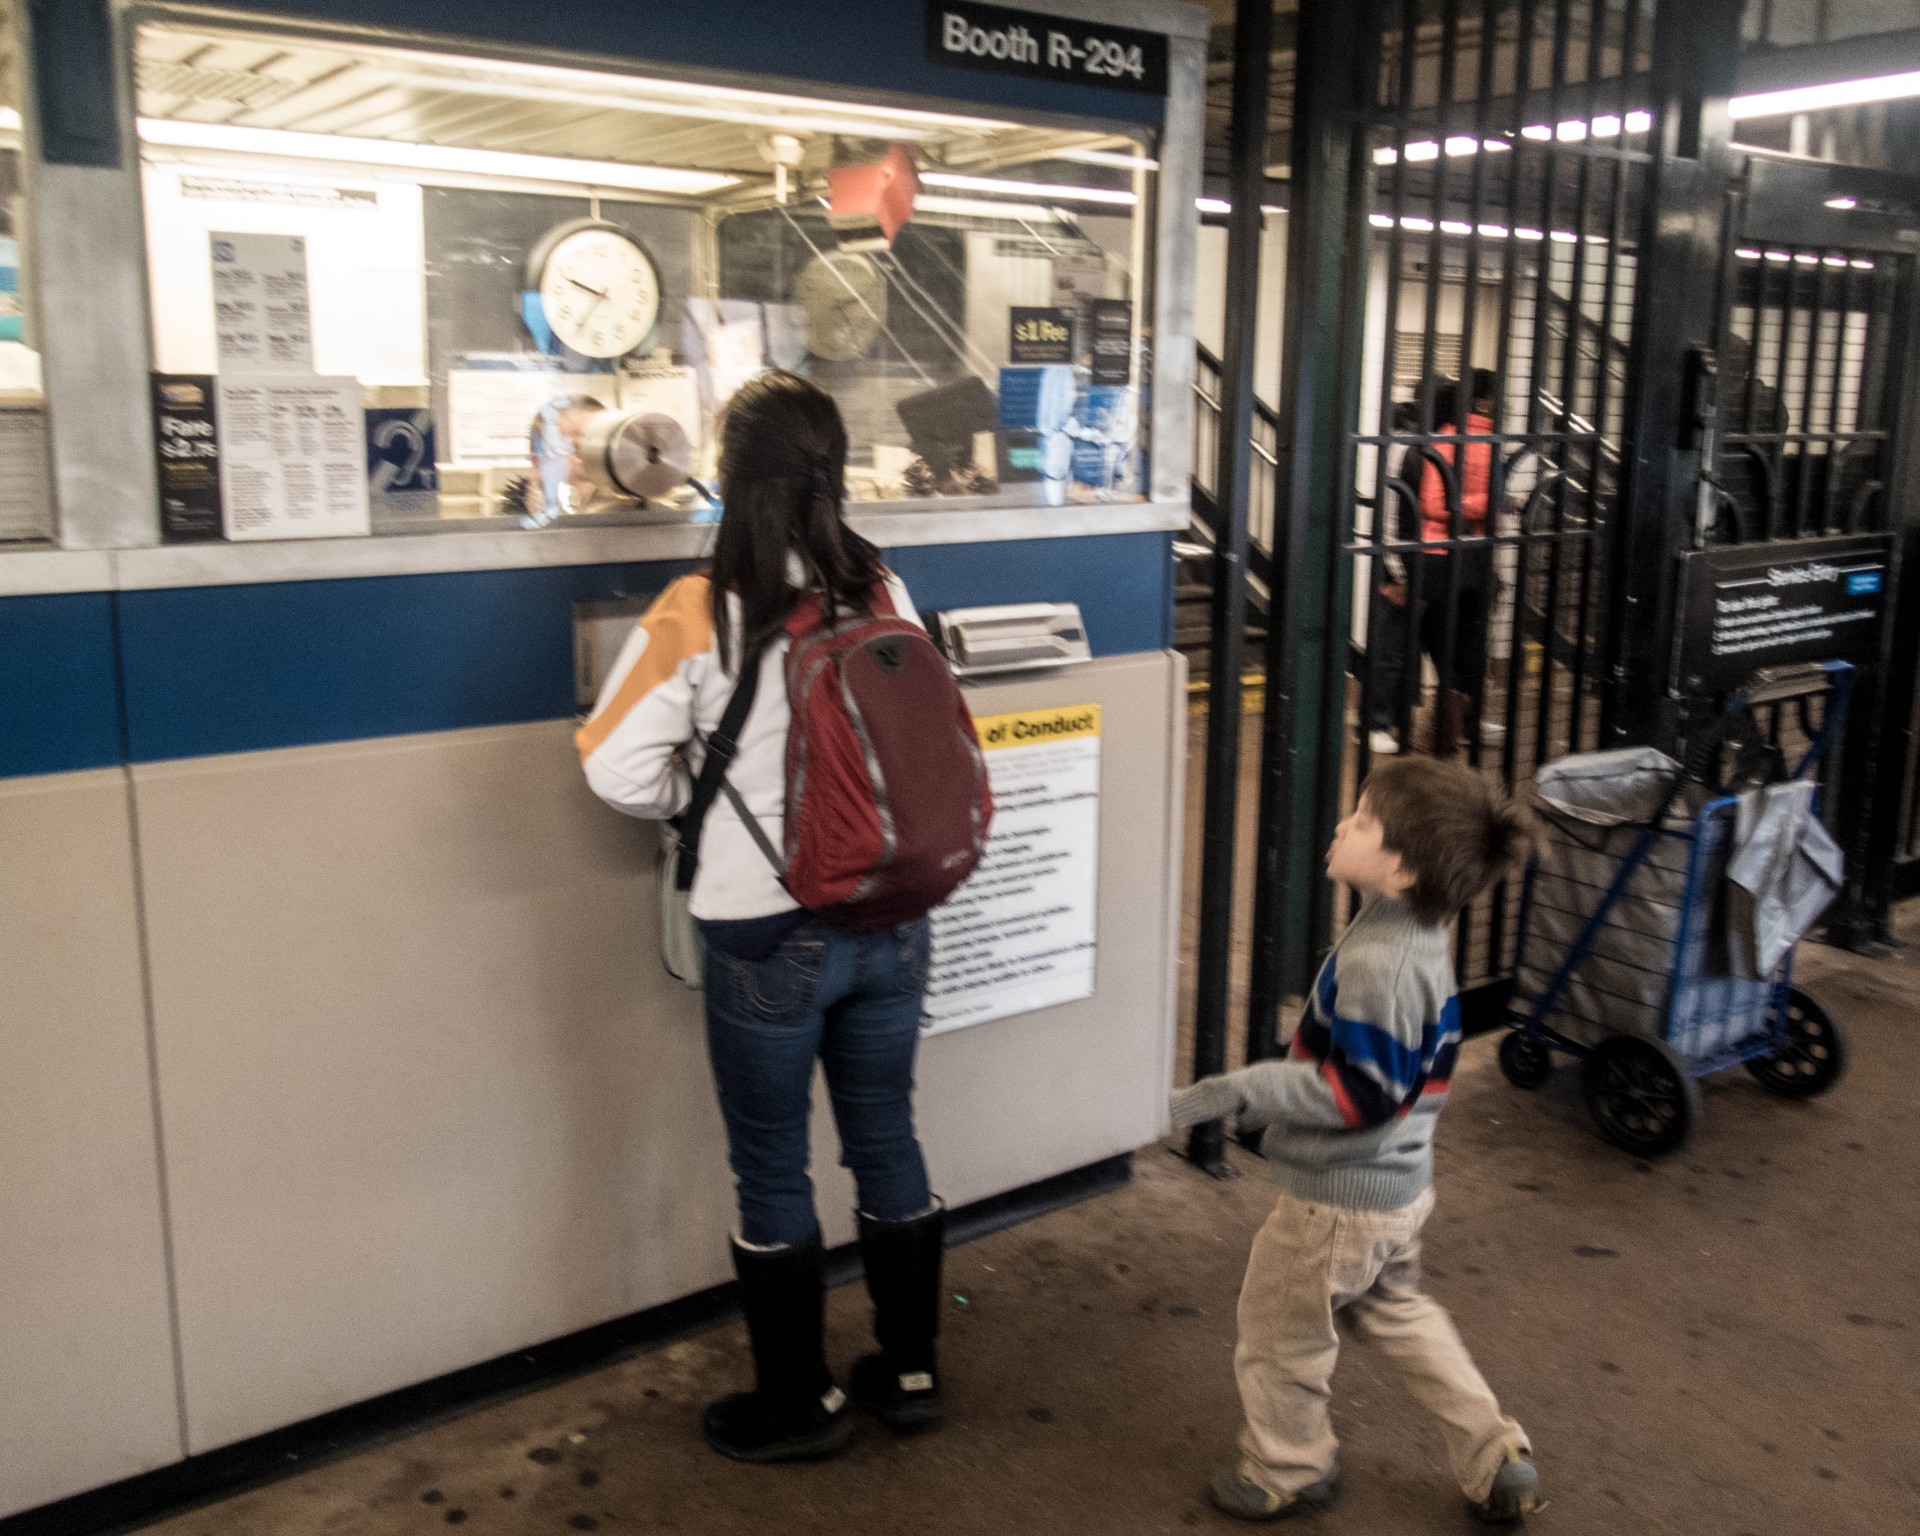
1660	917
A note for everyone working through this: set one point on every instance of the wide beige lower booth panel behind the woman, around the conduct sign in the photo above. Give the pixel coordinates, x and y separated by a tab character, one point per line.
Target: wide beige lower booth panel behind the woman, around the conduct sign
429	1095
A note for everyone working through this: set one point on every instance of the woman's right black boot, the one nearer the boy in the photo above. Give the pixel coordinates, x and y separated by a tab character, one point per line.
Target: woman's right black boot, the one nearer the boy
901	1385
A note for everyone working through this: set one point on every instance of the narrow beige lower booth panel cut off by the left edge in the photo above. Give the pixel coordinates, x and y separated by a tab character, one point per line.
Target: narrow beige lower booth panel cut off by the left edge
87	1374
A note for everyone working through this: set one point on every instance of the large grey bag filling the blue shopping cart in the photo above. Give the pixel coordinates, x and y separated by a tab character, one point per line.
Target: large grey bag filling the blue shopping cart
1595	807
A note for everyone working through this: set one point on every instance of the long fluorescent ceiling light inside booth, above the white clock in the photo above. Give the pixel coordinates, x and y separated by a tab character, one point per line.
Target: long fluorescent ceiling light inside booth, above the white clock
452	160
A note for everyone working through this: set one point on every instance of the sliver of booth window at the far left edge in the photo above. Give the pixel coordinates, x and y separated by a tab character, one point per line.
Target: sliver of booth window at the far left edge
26	508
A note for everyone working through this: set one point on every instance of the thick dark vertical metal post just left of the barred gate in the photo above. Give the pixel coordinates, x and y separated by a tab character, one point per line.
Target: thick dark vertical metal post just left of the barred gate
1328	266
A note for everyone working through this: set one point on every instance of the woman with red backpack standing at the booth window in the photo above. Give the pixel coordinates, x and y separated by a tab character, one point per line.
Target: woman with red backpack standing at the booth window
811	892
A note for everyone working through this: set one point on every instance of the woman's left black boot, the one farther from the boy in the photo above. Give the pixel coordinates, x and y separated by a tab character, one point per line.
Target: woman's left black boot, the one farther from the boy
794	1412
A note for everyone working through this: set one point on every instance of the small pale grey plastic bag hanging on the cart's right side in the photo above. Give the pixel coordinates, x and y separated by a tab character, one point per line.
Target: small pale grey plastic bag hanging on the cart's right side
1785	873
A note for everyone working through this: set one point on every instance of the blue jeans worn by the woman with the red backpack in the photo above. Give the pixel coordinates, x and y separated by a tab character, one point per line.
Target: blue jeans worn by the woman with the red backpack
853	1003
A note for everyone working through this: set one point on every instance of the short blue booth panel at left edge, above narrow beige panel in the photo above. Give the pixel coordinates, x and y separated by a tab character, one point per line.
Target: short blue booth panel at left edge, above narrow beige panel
59	708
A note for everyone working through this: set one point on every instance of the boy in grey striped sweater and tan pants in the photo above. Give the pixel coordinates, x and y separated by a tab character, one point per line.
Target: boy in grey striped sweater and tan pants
1349	1122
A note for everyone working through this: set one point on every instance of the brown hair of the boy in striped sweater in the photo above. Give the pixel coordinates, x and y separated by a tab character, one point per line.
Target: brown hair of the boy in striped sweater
1454	832
